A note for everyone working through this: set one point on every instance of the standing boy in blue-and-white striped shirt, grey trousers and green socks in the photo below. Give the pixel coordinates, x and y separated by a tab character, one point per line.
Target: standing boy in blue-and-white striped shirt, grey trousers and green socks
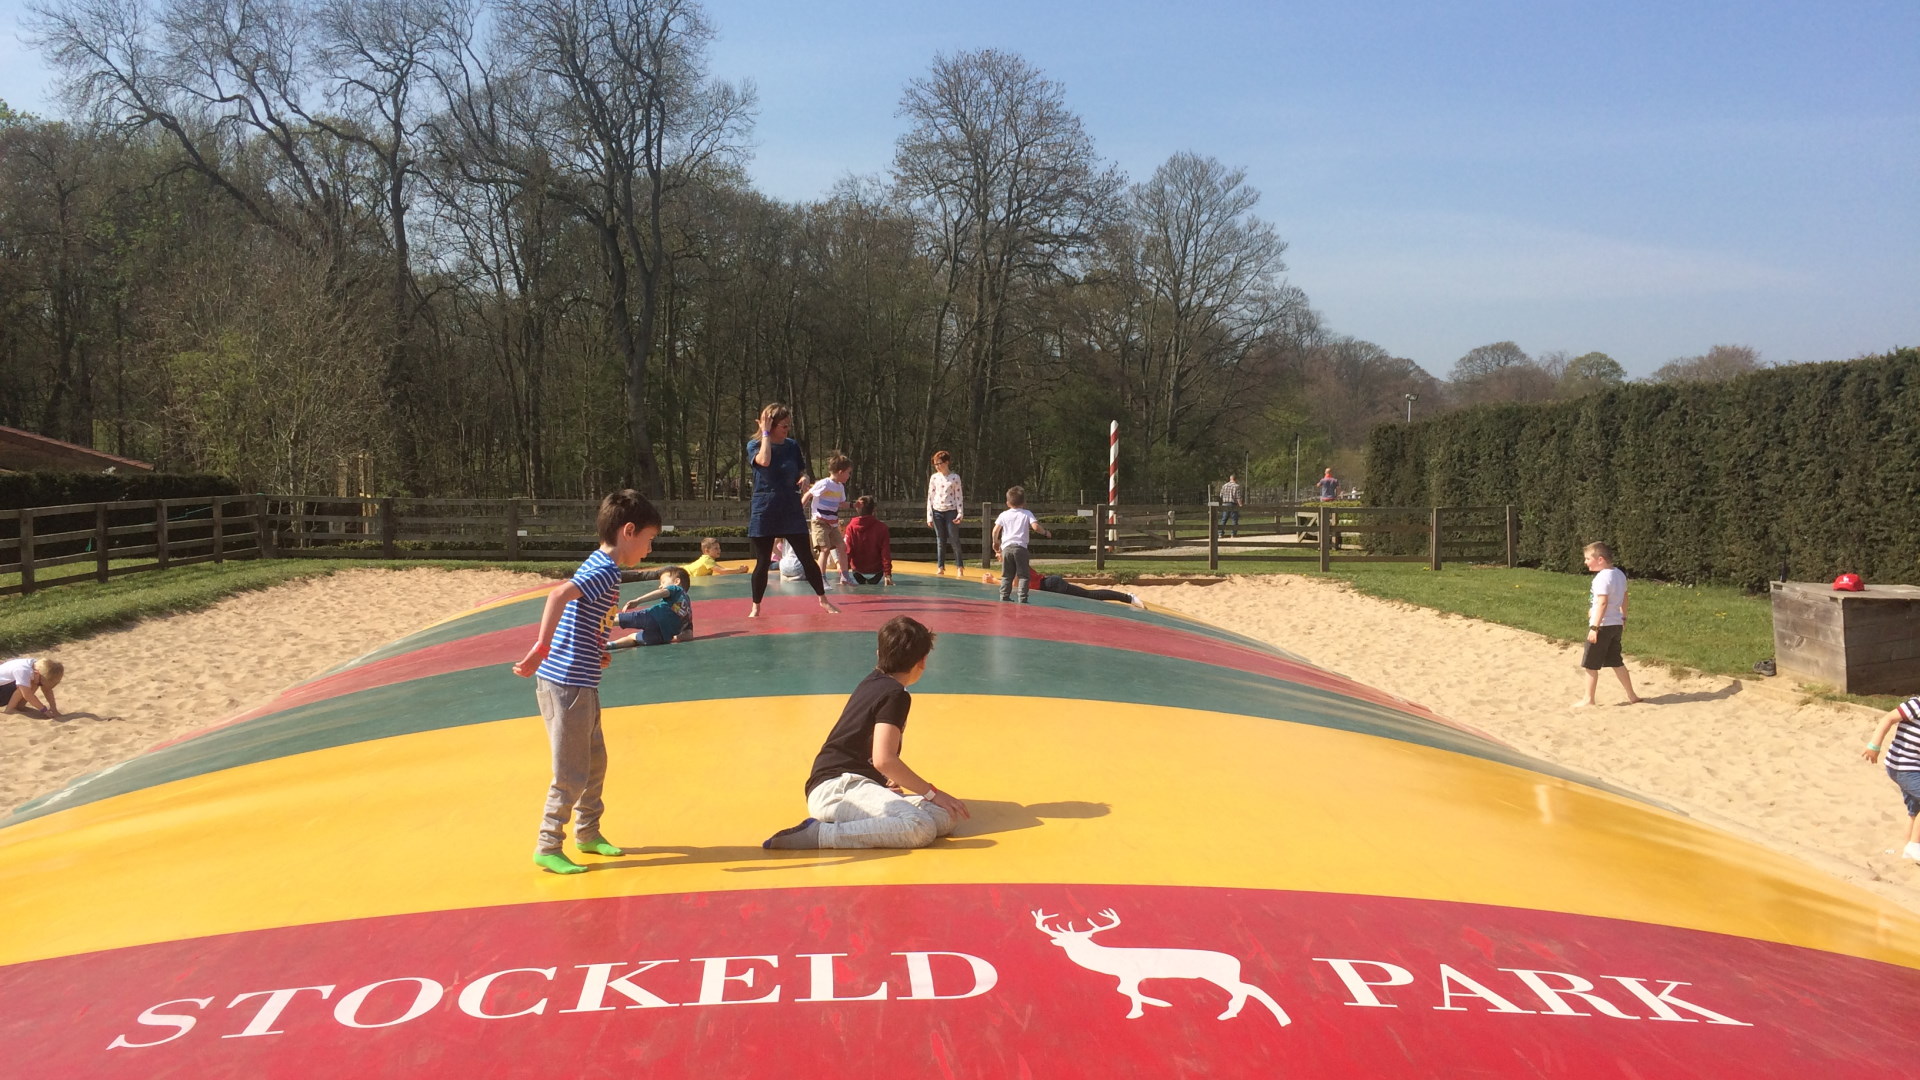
567	660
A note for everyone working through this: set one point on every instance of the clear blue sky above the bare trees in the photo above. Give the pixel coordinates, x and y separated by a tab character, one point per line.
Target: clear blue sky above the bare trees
1639	178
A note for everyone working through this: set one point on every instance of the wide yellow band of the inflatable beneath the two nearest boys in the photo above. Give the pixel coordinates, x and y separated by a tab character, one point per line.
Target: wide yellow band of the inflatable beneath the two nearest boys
1065	791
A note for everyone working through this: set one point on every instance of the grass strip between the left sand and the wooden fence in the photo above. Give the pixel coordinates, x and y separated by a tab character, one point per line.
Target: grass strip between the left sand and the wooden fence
72	612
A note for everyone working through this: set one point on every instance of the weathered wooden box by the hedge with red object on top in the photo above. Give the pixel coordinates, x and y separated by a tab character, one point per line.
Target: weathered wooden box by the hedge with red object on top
1858	643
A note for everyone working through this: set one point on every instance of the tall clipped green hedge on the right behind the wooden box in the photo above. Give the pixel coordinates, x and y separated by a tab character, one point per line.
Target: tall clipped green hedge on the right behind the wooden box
1813	466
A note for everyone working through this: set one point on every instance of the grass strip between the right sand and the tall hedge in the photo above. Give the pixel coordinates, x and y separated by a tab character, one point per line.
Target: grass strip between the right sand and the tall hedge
1714	629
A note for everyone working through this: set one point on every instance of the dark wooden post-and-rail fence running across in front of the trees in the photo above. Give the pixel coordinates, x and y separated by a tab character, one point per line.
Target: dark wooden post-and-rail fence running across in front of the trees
64	545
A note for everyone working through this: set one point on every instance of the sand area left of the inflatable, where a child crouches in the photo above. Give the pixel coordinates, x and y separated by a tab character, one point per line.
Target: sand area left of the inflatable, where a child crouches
166	677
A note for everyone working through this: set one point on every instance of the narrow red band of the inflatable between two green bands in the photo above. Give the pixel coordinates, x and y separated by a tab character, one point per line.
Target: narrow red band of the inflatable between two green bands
857	614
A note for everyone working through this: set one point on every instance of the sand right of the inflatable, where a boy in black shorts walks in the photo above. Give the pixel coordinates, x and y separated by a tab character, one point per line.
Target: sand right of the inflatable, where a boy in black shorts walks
1748	758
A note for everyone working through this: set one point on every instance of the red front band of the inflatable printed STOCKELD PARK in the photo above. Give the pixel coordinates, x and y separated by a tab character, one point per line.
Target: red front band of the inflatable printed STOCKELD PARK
963	981
